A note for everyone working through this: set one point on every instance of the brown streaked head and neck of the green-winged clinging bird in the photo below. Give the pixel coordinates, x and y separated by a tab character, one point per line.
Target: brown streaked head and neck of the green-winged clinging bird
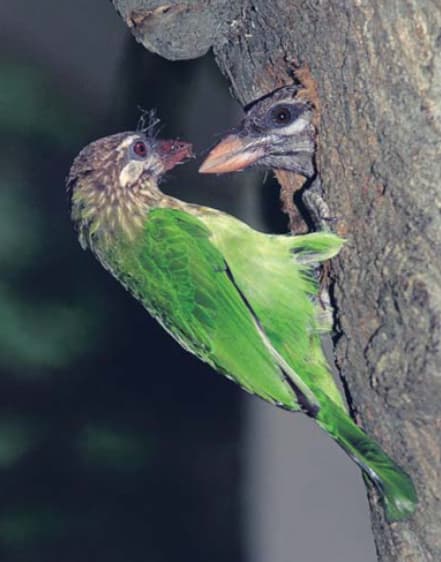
114	181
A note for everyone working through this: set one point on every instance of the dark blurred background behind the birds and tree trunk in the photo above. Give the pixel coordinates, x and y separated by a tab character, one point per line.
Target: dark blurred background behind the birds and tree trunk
115	444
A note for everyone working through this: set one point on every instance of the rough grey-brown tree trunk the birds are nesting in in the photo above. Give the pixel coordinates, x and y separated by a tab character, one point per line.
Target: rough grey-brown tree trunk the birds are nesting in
378	70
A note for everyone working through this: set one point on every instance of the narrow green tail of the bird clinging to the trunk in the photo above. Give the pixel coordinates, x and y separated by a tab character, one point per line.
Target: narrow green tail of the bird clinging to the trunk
394	485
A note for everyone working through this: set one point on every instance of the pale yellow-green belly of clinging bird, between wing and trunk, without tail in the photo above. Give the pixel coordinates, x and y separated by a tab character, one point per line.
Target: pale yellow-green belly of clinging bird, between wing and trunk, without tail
275	275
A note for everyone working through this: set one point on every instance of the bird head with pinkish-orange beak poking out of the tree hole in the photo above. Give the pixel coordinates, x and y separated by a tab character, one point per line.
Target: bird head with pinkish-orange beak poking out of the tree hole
276	132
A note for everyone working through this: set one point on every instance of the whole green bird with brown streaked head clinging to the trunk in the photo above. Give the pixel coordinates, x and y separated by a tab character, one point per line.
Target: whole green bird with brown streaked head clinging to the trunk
244	302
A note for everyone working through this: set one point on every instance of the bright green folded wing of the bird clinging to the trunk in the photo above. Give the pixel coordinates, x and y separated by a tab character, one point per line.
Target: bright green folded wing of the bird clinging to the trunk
183	281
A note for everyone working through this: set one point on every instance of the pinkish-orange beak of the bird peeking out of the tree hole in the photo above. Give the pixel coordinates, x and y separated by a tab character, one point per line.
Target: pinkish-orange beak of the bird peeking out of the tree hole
232	154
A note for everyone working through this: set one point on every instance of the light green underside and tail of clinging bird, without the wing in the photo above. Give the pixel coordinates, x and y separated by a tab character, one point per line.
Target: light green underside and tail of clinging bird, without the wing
272	272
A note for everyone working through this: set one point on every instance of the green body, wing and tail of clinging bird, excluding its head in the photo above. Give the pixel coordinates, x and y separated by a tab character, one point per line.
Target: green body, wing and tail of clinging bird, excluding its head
247	304
